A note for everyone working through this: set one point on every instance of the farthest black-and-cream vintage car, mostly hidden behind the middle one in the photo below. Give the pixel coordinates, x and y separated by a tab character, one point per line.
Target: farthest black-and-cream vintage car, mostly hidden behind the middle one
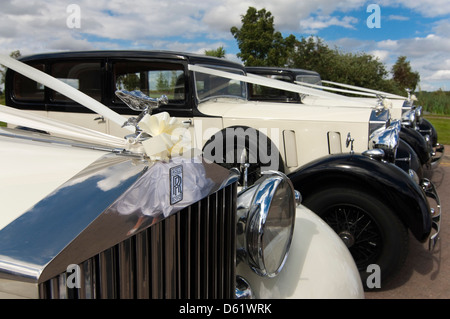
417	132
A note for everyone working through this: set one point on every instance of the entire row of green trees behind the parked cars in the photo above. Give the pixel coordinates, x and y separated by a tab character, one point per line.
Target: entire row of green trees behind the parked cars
261	45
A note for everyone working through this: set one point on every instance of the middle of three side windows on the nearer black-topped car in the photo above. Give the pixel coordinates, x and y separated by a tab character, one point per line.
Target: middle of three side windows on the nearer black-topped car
84	76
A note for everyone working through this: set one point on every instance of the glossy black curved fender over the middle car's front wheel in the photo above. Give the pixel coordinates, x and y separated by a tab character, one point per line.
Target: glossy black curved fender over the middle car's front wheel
387	181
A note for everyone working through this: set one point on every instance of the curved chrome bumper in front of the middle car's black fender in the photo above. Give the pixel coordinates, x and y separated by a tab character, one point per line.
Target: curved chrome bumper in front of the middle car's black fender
436	209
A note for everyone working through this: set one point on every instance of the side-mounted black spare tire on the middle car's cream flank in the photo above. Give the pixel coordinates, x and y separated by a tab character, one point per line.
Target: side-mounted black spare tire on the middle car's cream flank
252	156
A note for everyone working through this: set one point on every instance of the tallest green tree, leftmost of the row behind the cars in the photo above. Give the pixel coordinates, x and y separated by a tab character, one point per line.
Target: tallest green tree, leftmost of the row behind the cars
259	43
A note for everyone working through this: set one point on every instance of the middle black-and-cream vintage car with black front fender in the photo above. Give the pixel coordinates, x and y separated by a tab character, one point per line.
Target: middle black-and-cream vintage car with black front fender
348	152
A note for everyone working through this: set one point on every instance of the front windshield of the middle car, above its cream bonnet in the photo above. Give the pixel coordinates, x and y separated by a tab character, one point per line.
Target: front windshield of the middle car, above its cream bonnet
209	86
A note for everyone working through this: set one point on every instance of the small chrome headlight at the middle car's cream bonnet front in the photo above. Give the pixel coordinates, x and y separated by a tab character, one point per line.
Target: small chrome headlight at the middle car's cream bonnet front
387	140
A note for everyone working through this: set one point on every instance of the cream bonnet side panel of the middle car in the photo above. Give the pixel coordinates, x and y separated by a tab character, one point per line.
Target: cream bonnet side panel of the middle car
310	126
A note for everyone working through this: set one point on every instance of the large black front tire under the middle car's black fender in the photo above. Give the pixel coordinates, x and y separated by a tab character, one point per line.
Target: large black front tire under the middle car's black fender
370	229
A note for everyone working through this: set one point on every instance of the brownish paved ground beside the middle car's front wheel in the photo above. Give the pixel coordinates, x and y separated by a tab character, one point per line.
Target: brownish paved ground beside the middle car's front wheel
426	275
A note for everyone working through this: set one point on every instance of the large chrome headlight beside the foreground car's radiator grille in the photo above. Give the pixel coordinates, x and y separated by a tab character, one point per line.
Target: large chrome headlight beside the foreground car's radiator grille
266	214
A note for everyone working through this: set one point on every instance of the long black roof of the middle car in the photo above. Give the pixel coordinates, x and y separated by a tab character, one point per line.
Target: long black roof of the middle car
173	55
